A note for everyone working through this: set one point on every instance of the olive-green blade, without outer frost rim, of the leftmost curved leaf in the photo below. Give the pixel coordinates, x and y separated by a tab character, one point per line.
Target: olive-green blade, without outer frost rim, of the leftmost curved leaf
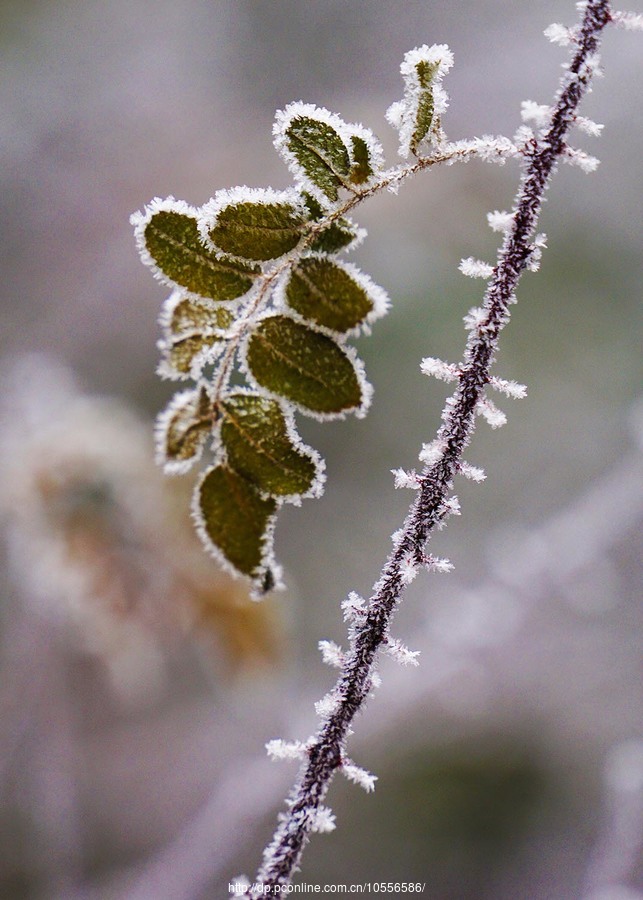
173	242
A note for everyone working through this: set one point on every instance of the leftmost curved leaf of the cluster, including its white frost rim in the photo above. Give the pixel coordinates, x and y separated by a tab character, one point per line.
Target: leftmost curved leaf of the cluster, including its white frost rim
168	240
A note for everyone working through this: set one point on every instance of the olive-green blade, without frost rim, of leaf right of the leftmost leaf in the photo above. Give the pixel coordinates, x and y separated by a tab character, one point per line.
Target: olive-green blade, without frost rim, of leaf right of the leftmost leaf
257	231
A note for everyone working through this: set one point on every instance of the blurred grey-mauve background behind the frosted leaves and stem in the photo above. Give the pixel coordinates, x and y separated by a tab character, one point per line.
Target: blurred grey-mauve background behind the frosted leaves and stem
138	685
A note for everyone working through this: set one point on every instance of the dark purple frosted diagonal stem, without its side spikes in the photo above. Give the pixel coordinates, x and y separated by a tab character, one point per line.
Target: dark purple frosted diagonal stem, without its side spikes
326	753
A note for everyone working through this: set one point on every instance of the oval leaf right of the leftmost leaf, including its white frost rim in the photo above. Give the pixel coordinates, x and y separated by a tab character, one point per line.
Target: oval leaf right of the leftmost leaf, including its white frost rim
253	223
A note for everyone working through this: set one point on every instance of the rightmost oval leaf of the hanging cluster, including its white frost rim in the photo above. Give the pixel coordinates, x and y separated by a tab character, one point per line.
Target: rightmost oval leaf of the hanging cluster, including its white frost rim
333	294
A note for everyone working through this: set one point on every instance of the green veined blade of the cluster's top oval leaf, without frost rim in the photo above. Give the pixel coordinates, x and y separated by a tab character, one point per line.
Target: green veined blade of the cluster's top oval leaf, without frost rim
320	152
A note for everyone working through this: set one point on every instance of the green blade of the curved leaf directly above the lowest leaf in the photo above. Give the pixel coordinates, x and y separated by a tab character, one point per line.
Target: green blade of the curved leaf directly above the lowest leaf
259	447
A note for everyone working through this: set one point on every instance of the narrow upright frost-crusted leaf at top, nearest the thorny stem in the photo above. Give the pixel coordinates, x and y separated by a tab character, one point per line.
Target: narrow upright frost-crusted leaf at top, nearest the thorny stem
416	116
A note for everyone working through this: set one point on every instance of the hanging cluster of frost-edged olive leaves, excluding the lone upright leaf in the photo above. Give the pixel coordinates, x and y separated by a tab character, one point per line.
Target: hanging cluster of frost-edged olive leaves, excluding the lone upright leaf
259	292
